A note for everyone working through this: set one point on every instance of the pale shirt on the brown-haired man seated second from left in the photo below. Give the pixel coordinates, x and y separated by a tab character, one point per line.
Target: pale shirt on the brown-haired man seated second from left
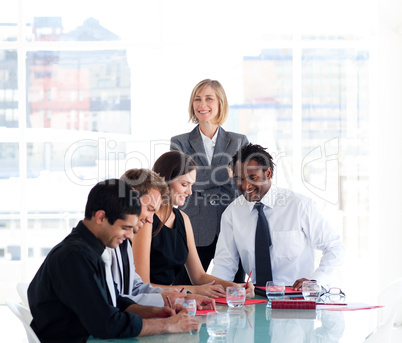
140	292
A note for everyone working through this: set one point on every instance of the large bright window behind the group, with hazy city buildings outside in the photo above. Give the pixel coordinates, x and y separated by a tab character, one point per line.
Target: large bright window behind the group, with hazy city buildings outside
86	94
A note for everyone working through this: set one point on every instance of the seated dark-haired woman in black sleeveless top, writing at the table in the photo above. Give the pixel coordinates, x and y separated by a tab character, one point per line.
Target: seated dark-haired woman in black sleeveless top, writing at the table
163	247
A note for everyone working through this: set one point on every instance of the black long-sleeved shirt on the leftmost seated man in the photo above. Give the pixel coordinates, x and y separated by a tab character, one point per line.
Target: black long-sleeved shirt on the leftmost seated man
69	298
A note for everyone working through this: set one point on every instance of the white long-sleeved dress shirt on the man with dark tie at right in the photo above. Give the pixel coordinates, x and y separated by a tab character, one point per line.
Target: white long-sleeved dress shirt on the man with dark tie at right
296	228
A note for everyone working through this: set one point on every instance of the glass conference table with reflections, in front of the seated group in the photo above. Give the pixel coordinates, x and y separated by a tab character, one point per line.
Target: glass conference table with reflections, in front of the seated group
257	323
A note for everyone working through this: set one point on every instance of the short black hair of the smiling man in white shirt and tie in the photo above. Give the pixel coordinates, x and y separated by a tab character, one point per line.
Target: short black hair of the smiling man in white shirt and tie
256	153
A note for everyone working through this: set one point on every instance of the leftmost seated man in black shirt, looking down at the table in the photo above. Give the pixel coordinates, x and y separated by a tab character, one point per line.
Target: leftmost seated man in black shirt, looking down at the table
69	296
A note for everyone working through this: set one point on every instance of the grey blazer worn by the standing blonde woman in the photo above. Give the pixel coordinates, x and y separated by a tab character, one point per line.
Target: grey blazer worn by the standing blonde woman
213	190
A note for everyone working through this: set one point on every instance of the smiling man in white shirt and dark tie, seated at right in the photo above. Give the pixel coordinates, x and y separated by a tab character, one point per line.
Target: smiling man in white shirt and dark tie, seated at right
296	227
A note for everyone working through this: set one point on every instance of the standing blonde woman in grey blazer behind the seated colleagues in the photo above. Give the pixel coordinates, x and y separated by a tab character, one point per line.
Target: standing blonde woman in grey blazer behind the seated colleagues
212	149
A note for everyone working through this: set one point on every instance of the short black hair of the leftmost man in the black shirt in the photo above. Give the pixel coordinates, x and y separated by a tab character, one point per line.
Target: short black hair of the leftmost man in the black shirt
115	197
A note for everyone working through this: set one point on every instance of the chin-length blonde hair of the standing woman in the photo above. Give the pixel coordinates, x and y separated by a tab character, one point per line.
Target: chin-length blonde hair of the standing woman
220	93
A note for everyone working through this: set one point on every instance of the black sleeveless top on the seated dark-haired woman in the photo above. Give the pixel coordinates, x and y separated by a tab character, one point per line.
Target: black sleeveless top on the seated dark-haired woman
169	250
